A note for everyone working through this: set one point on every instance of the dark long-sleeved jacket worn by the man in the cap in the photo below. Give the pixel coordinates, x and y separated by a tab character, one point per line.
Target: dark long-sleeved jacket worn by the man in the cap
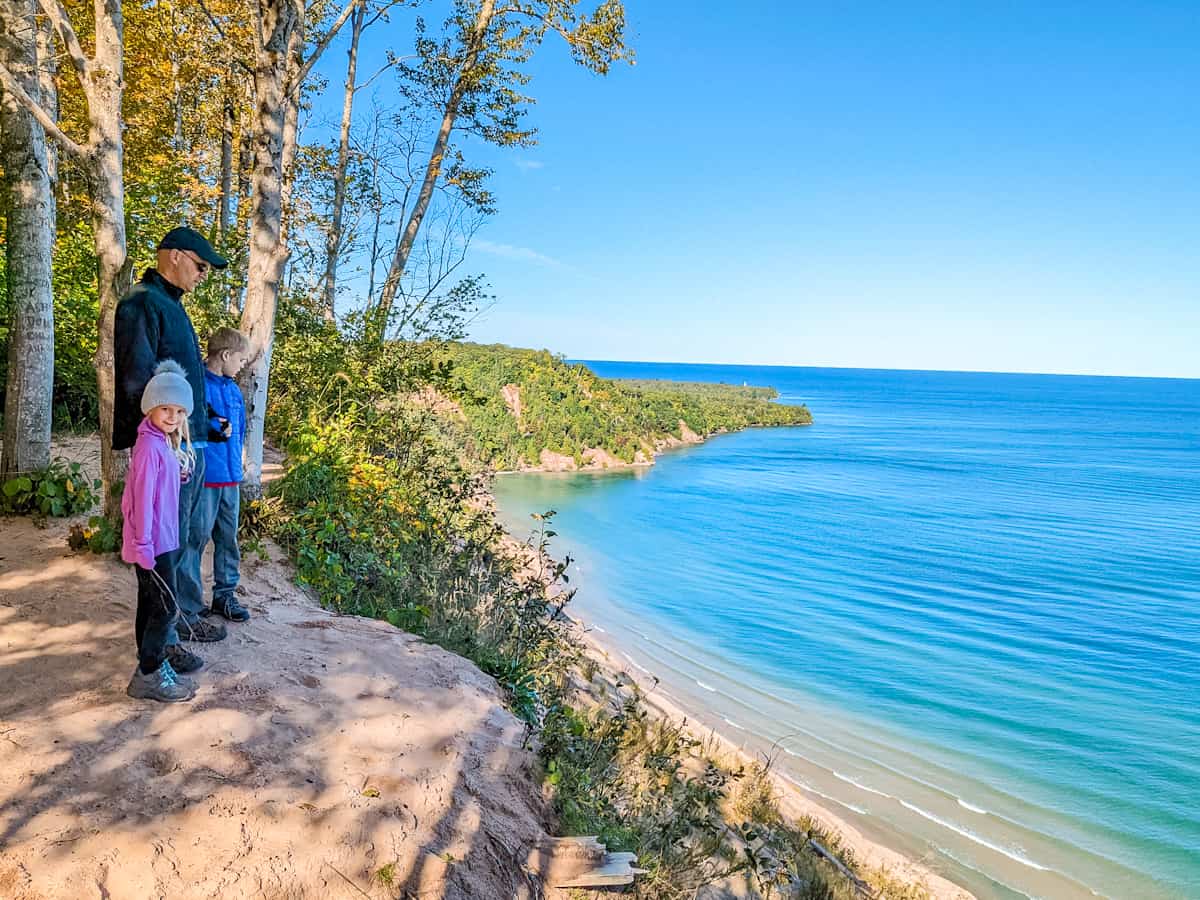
153	326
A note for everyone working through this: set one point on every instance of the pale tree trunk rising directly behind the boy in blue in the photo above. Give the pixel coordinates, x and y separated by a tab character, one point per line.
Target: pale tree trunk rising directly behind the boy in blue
279	25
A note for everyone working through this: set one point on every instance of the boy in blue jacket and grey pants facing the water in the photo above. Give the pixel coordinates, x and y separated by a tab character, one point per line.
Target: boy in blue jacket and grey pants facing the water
221	497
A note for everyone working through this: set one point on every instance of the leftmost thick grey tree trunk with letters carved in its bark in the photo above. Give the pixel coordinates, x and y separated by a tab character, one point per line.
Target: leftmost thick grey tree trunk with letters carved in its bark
28	202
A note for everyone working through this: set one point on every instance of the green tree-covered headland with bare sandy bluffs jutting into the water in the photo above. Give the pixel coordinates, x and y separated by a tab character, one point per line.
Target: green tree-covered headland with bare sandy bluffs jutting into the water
520	403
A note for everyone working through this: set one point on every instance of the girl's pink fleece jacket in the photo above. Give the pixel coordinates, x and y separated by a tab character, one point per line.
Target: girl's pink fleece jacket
151	503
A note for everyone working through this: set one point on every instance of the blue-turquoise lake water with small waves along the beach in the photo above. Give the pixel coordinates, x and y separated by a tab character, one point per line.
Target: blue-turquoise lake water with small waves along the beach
964	605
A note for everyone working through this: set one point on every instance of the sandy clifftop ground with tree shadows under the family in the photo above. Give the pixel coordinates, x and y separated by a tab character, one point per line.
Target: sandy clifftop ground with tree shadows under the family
323	757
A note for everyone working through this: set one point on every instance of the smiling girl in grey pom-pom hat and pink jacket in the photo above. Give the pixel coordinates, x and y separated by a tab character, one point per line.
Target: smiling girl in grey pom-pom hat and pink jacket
163	459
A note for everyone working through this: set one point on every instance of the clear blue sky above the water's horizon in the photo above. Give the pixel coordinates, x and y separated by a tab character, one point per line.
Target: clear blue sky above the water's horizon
961	185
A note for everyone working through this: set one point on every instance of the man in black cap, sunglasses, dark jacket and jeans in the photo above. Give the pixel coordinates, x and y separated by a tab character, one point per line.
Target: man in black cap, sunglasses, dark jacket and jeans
153	326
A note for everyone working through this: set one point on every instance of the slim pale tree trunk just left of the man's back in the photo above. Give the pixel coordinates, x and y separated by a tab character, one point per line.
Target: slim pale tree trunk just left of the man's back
109	224
